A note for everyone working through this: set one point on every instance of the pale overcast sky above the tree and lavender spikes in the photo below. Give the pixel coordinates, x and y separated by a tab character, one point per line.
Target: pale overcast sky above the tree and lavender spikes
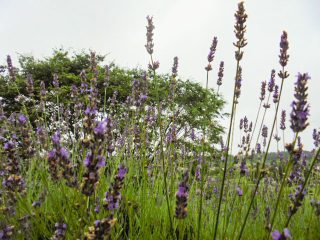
184	28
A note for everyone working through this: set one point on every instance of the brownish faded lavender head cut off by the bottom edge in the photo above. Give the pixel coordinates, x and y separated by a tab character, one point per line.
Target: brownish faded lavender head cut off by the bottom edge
101	229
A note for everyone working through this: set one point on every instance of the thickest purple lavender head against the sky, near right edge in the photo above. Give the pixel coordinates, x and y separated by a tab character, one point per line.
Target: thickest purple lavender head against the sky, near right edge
300	108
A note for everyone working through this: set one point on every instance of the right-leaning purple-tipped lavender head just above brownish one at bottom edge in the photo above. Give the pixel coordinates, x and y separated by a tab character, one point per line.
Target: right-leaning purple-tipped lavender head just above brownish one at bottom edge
113	195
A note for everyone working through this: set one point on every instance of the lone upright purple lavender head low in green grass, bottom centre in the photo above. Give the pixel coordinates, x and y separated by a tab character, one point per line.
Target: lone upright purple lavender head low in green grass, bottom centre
182	197
